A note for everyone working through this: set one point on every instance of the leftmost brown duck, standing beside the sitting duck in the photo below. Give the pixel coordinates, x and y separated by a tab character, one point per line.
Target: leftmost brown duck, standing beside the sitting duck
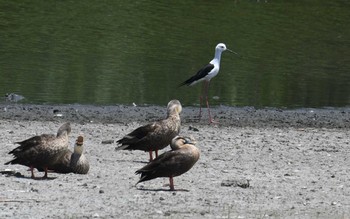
41	151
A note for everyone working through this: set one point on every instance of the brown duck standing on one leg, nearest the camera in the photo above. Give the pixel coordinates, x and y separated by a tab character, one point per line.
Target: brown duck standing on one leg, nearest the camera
179	160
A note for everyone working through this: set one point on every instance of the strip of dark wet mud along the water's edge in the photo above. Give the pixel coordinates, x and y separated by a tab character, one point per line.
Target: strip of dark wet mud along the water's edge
226	116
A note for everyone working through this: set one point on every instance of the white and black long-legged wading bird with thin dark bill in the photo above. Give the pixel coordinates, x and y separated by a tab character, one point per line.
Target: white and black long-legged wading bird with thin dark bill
206	74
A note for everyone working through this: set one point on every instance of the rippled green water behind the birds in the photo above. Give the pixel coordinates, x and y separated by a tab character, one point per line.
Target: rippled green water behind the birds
294	53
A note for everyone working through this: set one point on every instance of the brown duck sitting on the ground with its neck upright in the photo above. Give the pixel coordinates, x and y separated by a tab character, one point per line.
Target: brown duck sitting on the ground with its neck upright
72	162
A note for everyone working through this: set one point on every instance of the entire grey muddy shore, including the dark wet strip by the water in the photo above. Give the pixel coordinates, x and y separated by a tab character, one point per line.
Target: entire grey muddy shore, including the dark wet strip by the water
296	163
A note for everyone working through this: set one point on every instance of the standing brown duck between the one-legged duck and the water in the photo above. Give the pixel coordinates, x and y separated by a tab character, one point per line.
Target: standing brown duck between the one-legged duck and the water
154	136
